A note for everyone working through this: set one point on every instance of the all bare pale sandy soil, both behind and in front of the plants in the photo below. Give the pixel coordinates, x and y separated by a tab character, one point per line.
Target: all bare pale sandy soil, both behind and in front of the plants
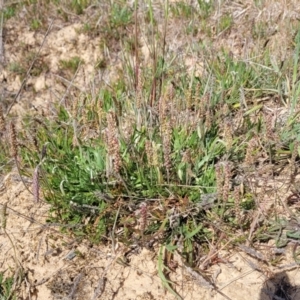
56	266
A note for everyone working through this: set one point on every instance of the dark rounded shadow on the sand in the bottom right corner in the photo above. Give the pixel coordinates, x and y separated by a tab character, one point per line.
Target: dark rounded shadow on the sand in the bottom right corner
279	287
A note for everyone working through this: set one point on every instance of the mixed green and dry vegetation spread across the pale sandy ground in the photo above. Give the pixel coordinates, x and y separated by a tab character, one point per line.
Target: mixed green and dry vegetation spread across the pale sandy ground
169	154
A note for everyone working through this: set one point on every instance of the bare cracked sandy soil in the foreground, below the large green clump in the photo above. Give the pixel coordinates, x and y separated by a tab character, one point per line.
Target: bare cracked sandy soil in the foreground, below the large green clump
47	257
